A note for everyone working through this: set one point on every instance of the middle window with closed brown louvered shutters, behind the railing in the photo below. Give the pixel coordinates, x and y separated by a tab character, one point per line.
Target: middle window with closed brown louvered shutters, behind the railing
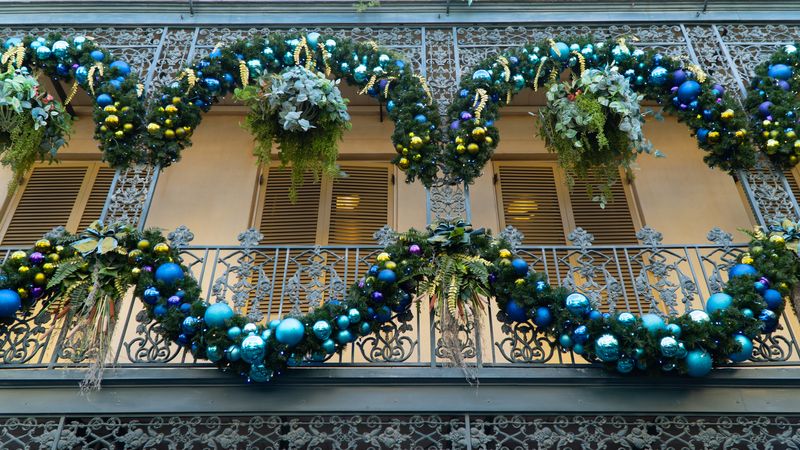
343	211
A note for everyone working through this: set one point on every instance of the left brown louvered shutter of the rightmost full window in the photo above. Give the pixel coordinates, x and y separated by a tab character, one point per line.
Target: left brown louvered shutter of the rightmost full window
529	197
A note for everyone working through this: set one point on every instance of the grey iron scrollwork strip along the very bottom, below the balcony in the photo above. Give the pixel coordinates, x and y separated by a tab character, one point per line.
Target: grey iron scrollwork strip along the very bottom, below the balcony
430	431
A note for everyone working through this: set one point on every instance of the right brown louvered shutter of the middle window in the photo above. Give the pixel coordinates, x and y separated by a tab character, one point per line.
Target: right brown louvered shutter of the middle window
359	205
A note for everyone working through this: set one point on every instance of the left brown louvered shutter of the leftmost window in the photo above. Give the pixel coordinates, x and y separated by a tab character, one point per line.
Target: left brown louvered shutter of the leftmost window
47	200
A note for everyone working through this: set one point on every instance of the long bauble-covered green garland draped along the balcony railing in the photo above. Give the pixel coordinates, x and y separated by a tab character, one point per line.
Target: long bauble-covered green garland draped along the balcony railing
103	263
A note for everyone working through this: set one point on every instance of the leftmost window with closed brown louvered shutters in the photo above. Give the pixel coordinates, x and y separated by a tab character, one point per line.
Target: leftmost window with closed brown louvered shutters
71	194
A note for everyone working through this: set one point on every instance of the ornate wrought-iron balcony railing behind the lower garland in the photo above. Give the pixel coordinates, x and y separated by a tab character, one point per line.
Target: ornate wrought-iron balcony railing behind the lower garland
268	282
